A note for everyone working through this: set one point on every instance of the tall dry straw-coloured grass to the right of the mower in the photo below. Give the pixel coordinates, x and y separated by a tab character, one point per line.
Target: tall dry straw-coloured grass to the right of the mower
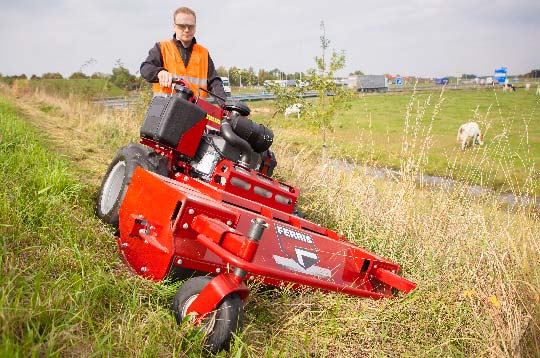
472	260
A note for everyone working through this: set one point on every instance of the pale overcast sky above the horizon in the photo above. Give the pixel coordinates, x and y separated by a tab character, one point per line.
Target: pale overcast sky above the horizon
427	38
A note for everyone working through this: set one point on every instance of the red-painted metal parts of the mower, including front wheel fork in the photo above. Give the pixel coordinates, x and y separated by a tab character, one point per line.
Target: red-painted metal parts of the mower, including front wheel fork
208	226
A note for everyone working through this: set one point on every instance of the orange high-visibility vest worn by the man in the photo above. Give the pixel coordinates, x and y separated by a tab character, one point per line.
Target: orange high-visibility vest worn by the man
196	72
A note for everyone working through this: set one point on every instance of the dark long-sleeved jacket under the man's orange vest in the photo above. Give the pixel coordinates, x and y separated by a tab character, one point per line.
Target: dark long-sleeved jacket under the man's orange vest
154	63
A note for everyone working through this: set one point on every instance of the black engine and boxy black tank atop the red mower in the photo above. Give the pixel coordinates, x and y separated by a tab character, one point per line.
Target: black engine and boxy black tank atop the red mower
177	123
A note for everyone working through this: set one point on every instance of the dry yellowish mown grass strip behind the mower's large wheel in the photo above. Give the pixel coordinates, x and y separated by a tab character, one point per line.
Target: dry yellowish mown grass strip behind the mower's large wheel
85	132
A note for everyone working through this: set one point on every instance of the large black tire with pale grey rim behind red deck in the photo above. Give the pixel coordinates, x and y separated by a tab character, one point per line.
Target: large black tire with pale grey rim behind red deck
118	176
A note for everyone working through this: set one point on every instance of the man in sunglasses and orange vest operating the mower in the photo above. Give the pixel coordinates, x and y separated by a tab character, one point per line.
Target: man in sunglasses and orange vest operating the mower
182	56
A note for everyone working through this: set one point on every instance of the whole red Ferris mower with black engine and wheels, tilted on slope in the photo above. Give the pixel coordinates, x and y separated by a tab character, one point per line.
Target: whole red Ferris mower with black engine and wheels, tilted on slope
195	200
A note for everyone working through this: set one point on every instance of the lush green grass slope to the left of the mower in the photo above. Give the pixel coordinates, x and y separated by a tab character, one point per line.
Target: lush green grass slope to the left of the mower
64	291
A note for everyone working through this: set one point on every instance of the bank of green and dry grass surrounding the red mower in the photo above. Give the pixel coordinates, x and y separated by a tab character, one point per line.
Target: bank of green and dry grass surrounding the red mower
65	292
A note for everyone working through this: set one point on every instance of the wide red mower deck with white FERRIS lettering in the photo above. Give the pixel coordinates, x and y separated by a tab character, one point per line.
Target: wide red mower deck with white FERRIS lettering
199	227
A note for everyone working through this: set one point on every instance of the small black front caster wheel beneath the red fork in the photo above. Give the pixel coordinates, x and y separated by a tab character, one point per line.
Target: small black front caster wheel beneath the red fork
221	324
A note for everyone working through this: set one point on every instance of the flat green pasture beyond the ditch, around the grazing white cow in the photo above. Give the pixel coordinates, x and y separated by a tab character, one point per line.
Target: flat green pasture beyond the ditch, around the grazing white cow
392	129
